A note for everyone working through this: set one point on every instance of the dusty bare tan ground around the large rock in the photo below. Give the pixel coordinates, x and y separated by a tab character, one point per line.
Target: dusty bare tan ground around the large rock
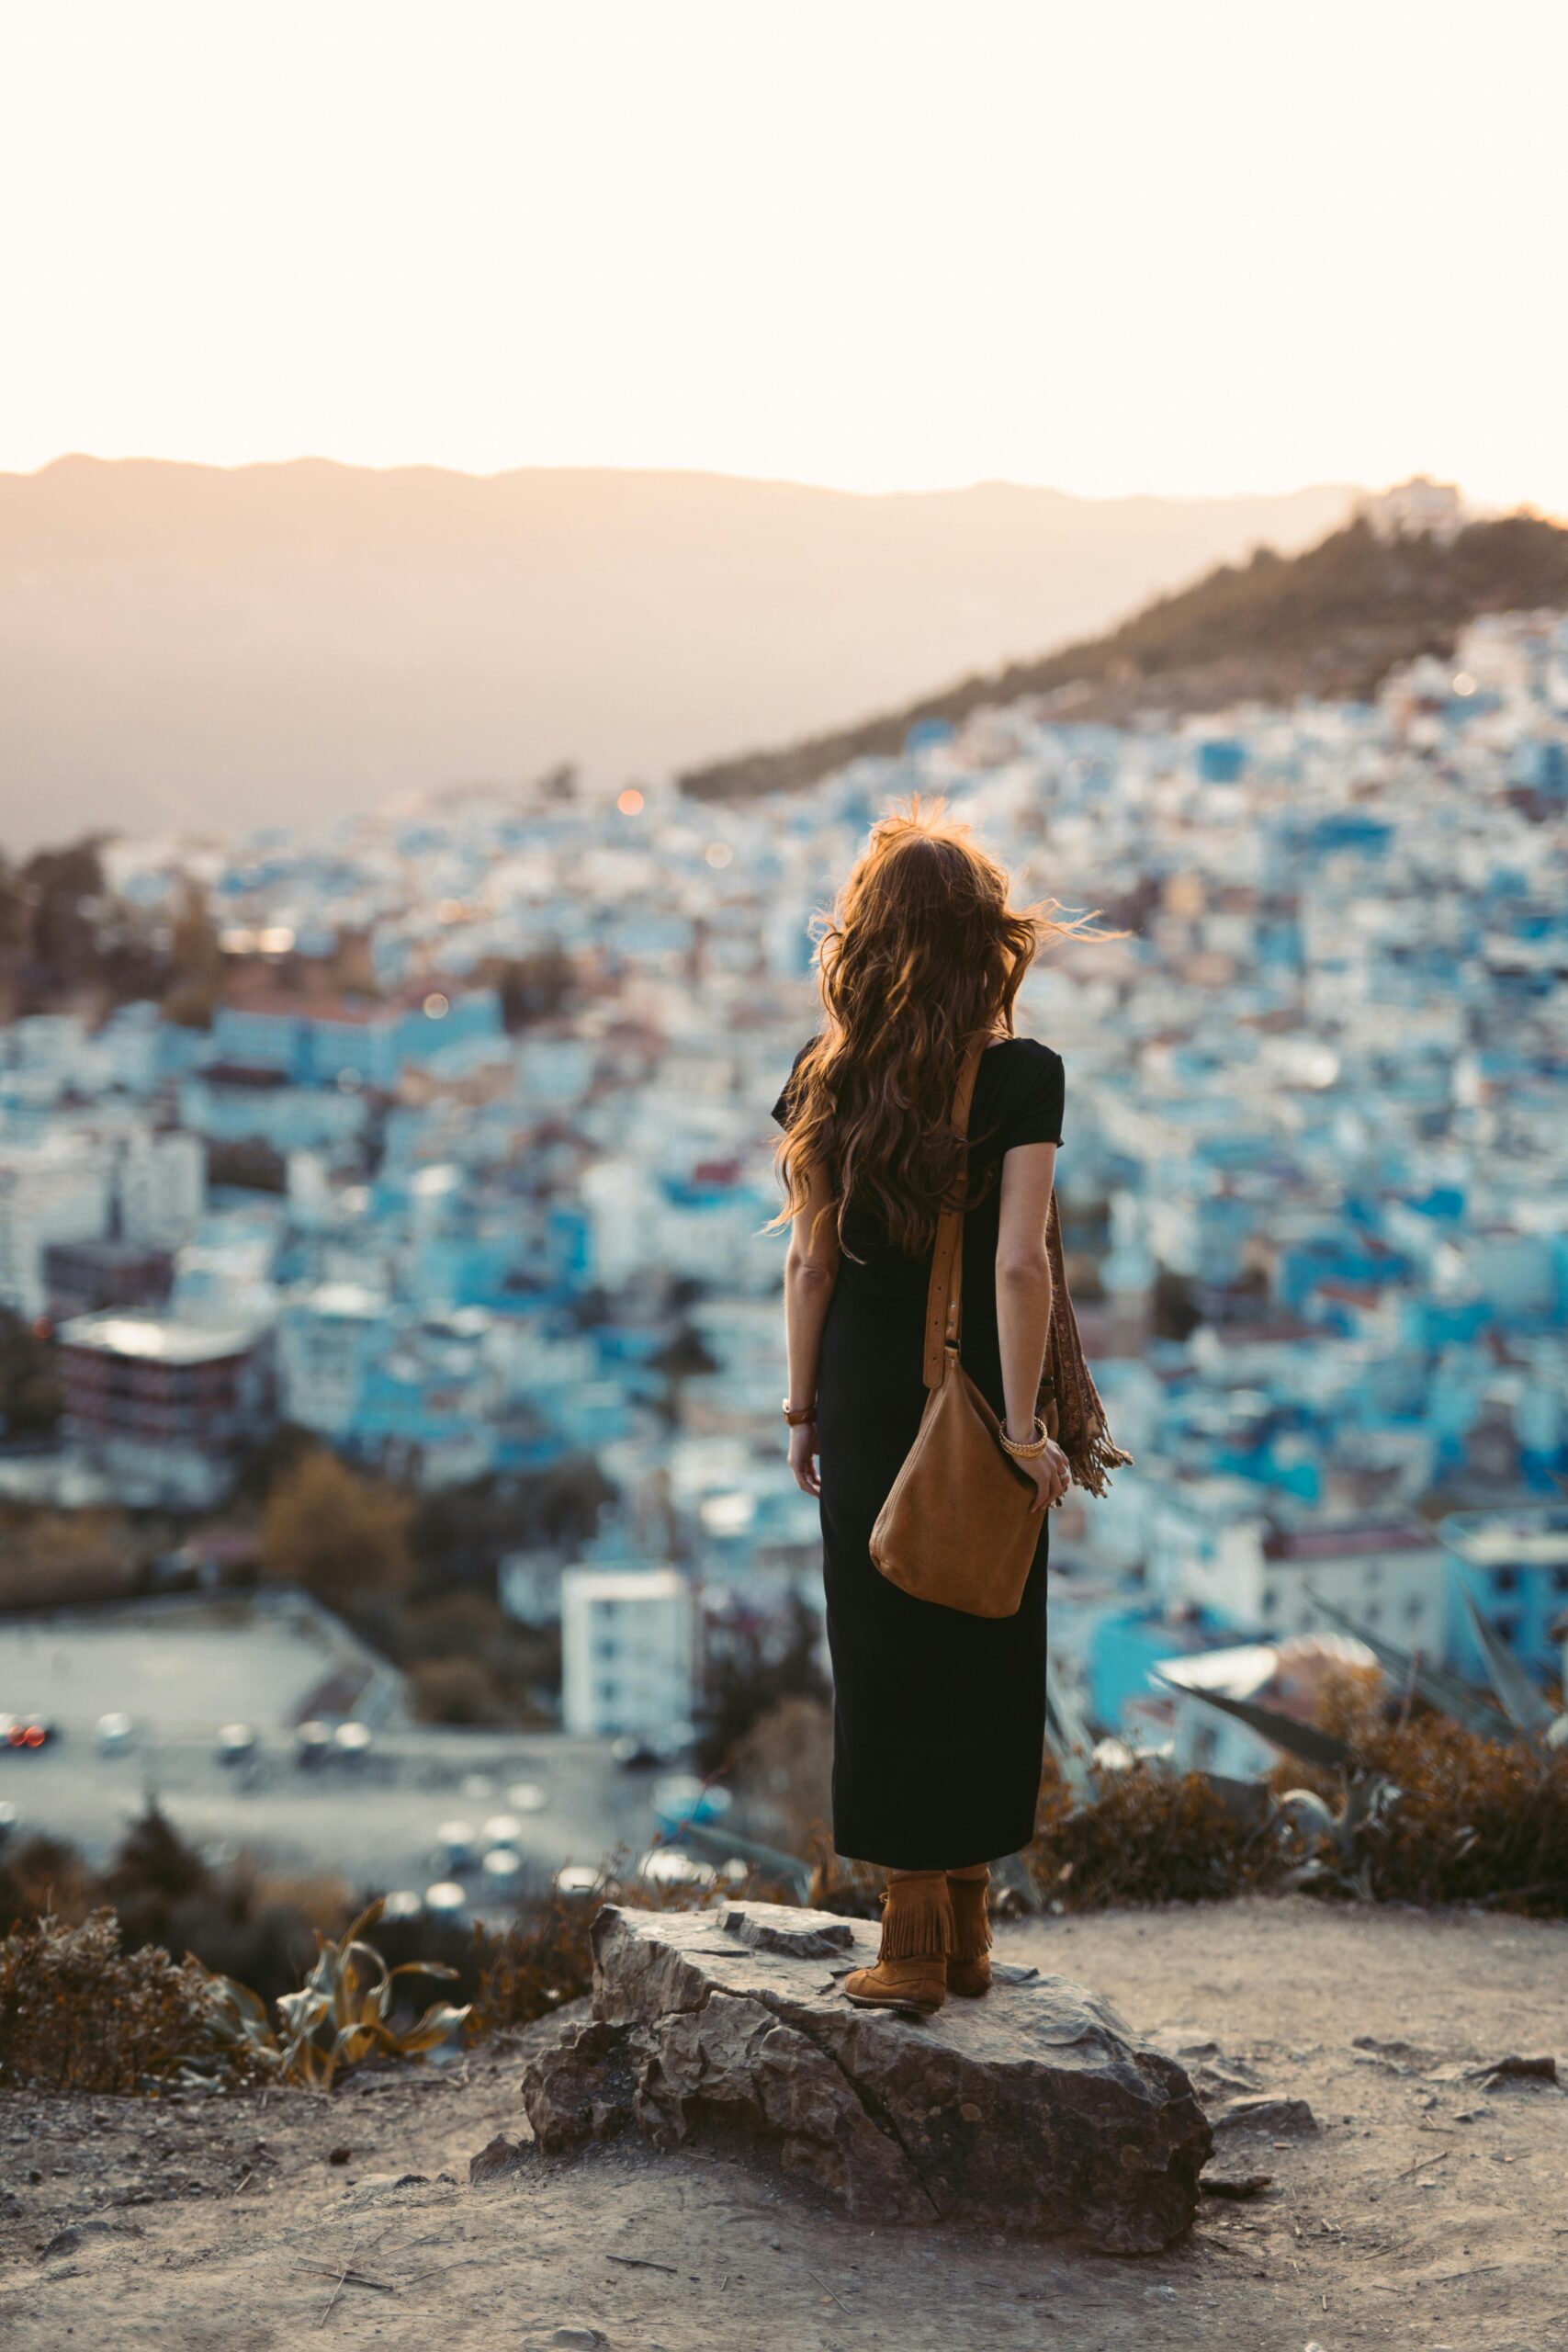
1428	2212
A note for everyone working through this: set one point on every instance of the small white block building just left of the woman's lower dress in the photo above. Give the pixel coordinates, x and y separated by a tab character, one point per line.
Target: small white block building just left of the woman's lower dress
629	1652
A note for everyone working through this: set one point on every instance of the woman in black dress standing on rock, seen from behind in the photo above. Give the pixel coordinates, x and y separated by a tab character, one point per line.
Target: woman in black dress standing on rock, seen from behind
939	1716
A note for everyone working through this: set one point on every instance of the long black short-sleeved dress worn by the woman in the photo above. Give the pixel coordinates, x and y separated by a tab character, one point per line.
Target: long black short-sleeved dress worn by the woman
939	1718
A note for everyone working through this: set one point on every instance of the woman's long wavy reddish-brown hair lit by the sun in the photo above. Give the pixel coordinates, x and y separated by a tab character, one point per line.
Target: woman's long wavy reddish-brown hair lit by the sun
920	956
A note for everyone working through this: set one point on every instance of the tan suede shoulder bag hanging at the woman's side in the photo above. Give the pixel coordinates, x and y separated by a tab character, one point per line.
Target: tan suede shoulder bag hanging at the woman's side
958	1525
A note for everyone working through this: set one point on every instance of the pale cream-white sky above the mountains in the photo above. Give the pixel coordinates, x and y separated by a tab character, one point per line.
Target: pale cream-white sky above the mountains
1113	246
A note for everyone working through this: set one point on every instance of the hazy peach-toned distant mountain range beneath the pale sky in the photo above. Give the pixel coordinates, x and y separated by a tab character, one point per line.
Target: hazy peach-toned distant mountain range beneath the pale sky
199	646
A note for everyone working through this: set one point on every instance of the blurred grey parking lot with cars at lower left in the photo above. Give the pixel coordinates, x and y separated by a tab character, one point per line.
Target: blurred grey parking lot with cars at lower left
187	1671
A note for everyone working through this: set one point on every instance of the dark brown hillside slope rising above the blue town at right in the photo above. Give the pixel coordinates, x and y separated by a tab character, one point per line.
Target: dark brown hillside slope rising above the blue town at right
1329	622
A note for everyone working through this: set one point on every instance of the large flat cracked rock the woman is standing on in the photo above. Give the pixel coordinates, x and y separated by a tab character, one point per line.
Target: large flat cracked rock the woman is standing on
1033	2109
